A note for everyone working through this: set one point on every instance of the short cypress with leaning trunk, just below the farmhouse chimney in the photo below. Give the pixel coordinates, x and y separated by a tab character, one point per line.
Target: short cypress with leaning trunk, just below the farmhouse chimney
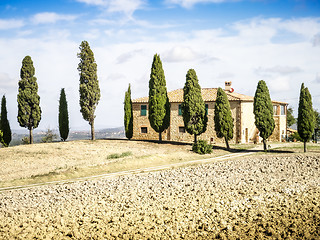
223	121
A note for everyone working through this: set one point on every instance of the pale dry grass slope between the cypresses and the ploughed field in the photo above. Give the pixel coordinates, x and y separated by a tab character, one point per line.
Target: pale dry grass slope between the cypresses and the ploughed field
28	164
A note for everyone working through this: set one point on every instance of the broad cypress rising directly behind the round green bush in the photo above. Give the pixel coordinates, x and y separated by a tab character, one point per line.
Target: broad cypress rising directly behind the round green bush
193	107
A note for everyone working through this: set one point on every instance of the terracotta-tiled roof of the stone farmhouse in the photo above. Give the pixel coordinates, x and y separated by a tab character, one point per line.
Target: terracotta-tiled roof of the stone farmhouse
208	95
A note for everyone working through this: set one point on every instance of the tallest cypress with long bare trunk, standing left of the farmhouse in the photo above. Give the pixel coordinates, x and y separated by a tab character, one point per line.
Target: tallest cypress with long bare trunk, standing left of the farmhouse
89	85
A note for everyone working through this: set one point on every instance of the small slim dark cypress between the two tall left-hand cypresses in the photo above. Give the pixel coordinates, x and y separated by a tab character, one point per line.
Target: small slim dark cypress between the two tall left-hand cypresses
63	116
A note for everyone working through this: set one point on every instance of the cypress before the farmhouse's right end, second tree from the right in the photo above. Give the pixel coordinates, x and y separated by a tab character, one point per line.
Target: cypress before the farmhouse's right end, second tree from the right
263	112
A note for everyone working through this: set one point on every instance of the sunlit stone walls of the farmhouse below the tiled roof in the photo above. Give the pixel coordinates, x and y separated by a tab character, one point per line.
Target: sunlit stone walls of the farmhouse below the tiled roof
245	130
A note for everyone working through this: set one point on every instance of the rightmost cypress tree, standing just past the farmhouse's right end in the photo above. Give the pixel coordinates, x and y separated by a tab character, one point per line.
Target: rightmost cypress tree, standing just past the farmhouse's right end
305	116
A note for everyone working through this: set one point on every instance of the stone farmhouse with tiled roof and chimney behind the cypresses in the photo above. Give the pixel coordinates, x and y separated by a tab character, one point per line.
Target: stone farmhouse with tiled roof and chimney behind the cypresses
241	106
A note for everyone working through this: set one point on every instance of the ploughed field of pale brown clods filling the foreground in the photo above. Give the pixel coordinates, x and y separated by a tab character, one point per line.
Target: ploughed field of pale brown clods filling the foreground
263	197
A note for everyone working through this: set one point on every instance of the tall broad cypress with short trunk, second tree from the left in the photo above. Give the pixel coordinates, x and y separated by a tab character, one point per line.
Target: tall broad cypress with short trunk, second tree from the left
29	111
